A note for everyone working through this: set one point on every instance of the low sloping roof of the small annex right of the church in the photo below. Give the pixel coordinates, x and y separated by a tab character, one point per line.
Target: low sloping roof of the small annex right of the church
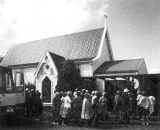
119	66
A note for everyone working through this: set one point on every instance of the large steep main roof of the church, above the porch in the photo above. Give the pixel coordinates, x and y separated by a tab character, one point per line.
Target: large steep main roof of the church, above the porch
72	46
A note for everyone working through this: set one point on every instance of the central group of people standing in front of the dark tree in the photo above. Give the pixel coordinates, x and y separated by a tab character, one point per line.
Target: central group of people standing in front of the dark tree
80	106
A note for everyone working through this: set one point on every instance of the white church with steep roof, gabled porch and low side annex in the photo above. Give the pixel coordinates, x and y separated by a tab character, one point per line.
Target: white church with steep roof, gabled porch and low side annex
41	60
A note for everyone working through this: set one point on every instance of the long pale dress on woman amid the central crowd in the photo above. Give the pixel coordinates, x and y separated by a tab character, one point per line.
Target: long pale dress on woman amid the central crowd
86	109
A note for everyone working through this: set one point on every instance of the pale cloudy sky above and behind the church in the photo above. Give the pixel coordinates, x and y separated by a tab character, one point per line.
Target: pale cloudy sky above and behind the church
133	25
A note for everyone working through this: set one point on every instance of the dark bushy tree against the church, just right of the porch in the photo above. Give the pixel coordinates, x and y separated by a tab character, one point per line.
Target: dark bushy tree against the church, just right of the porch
69	77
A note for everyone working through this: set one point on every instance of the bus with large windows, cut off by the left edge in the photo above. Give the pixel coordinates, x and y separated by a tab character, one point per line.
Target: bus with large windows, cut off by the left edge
12	96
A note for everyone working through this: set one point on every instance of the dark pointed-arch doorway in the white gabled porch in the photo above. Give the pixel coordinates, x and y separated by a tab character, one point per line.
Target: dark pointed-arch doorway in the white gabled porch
46	90
